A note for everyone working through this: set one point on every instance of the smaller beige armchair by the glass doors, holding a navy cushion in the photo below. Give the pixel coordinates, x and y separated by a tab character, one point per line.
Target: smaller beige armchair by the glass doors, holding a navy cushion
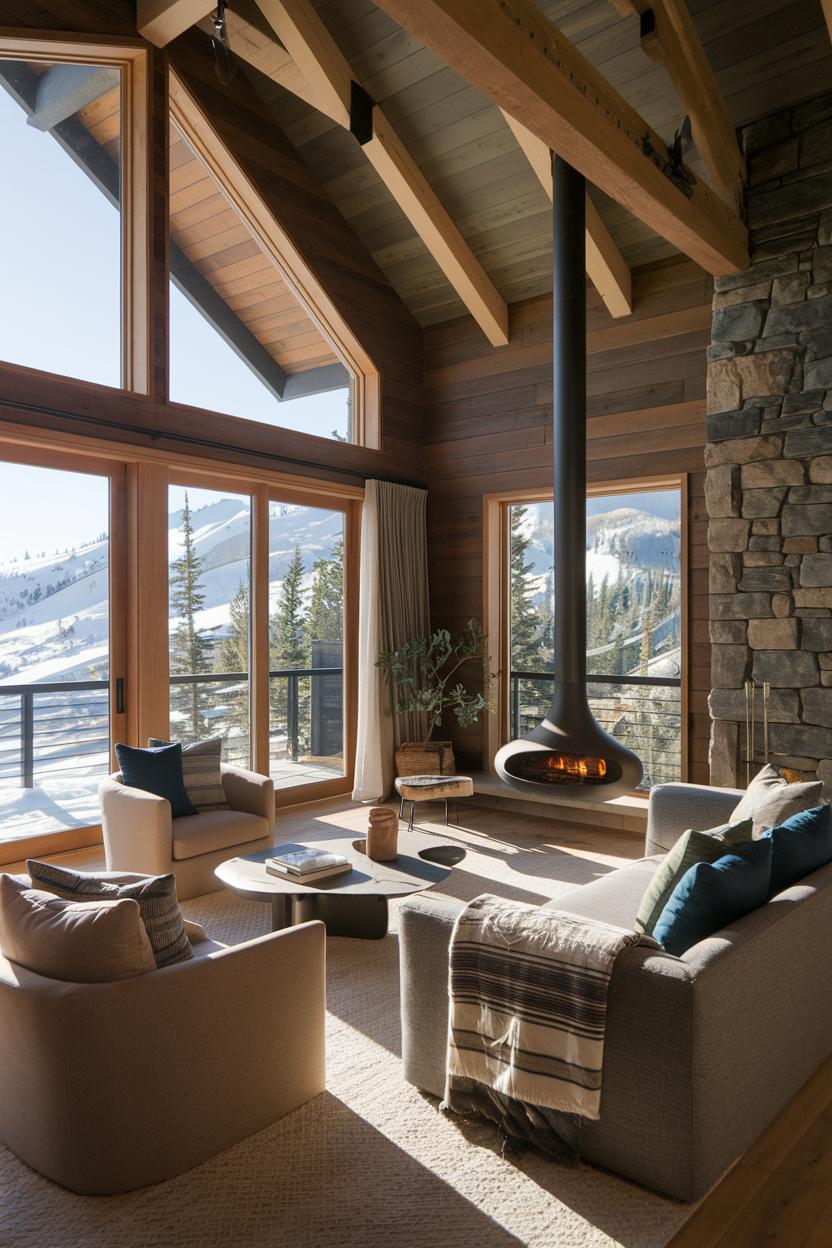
140	834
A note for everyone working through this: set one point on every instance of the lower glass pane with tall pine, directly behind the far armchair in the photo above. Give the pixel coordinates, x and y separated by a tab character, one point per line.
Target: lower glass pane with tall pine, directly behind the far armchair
209	610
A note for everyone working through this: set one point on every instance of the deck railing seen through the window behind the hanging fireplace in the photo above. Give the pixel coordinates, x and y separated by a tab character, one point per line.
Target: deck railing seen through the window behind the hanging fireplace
644	713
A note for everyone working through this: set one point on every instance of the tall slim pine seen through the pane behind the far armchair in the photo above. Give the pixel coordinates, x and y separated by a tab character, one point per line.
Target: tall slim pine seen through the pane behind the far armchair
190	646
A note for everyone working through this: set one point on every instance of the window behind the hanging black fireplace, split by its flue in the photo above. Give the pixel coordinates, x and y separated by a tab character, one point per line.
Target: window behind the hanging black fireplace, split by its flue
634	622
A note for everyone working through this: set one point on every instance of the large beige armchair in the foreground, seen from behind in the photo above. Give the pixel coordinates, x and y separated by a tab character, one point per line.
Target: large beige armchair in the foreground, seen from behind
107	1088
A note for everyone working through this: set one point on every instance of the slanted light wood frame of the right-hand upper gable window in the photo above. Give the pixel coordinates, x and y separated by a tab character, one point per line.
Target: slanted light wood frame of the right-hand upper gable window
204	139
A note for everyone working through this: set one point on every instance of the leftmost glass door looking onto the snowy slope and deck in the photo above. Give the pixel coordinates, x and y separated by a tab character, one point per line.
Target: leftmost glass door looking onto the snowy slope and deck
62	678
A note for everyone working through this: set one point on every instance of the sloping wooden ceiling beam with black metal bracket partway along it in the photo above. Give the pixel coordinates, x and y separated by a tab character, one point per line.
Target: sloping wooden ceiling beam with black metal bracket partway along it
327	73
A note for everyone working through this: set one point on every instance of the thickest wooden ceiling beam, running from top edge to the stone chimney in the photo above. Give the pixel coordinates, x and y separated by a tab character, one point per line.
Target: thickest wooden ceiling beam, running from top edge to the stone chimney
523	63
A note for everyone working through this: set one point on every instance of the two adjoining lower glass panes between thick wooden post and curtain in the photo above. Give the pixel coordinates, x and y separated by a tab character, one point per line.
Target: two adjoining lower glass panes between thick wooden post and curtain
243	578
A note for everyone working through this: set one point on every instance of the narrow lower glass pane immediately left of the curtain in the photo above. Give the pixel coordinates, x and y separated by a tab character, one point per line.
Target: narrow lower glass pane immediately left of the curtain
306	552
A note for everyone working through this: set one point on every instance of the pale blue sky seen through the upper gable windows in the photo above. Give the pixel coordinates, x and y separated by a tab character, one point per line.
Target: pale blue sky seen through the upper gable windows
60	281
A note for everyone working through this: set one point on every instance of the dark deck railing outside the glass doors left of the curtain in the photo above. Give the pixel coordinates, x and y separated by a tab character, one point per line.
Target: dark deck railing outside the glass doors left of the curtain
59	728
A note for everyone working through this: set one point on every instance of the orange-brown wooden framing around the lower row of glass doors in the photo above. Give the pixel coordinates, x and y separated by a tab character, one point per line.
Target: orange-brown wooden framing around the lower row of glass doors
142	522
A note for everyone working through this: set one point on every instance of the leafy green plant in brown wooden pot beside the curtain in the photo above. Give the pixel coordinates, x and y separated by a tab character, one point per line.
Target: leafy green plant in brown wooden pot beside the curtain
426	680
